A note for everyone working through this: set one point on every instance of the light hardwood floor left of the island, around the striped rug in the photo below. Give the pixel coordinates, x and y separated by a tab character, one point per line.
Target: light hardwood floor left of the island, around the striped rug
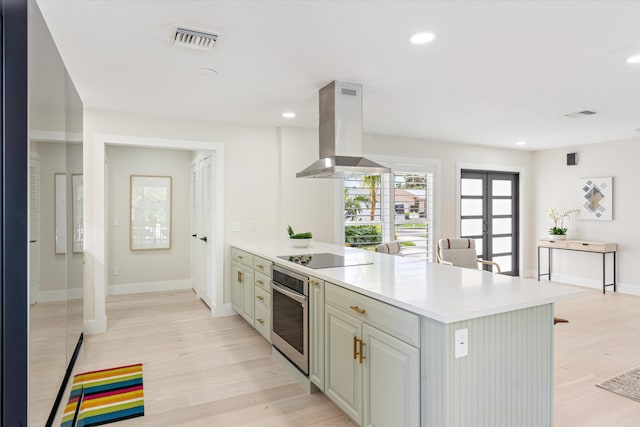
201	371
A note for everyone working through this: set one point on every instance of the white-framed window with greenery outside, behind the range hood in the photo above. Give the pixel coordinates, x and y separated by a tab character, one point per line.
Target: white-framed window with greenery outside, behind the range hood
390	207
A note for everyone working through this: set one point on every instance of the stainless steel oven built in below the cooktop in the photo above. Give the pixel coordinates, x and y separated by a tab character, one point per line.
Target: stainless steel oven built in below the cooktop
289	316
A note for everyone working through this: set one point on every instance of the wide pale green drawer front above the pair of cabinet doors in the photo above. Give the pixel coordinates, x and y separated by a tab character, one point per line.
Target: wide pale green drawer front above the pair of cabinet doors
392	320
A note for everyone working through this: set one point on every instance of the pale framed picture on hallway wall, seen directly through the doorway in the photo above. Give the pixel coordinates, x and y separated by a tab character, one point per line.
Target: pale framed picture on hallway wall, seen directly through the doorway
150	225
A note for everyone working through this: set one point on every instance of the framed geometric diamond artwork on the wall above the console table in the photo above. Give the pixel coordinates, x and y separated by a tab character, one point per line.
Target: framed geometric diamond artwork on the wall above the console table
595	198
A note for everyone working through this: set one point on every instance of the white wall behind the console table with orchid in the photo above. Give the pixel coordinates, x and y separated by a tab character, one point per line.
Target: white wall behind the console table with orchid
556	187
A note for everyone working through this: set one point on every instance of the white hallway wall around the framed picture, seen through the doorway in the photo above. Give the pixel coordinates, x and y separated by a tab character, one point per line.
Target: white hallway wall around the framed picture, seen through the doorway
143	269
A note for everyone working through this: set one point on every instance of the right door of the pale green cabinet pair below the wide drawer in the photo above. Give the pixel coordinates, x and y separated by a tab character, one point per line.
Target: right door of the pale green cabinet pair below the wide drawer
391	380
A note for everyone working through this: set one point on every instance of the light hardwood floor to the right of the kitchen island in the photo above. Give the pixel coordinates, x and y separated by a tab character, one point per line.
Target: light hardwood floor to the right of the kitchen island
601	341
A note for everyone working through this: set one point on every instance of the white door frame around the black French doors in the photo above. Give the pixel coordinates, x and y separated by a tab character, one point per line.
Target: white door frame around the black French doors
460	166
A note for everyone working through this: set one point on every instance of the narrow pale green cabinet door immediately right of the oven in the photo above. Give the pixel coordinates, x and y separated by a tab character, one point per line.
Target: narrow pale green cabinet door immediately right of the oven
316	332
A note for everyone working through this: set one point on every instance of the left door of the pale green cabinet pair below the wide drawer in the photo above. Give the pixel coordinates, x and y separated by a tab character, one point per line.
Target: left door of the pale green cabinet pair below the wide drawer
343	373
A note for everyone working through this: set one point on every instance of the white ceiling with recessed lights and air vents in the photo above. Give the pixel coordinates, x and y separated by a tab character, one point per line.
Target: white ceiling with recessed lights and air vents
498	71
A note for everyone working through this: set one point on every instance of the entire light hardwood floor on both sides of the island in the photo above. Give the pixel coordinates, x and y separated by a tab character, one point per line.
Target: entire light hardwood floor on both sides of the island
201	371
